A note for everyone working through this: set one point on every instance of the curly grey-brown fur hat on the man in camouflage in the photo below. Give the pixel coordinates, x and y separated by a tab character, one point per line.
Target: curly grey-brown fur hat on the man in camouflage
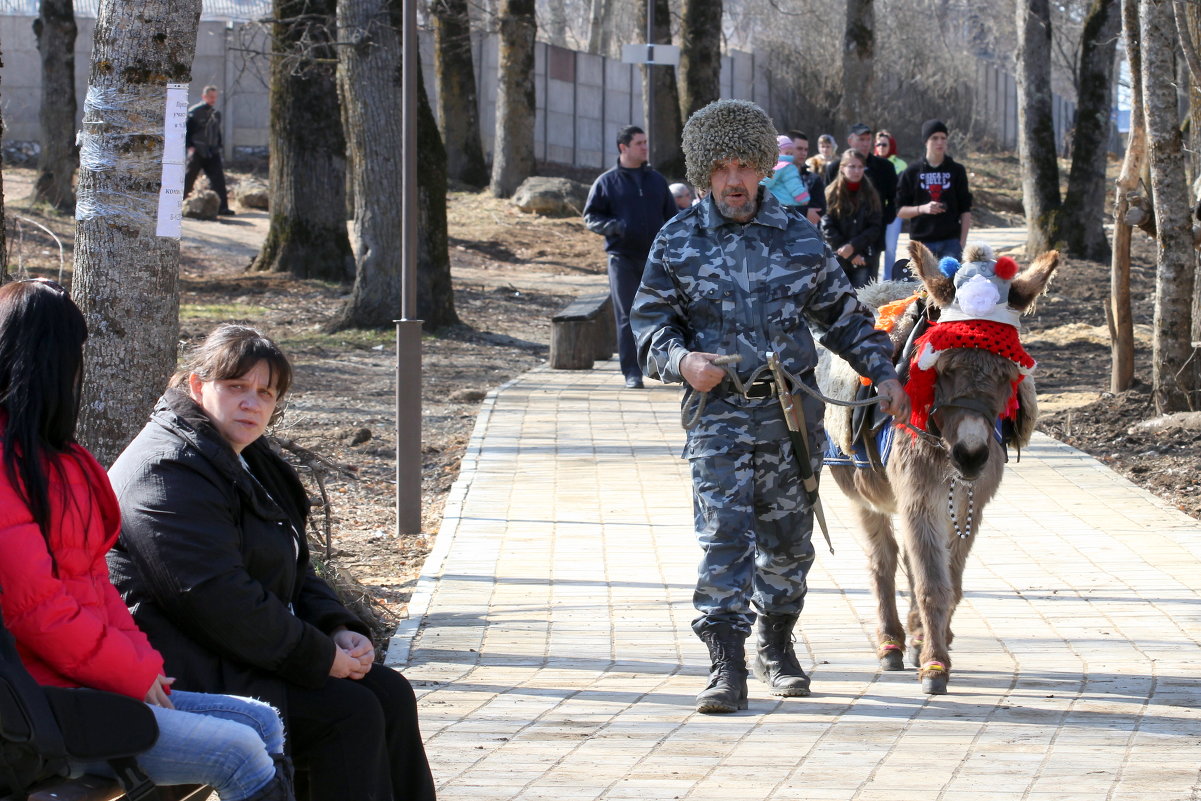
728	129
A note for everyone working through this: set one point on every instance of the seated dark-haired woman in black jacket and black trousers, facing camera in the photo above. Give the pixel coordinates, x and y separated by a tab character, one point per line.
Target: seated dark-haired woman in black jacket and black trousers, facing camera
214	565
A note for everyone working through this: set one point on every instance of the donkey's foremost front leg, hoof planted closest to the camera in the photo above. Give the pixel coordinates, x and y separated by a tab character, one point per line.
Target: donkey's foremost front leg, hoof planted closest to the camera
927	545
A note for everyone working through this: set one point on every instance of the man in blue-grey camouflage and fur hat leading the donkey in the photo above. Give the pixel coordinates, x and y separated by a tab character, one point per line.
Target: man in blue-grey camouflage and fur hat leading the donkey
740	274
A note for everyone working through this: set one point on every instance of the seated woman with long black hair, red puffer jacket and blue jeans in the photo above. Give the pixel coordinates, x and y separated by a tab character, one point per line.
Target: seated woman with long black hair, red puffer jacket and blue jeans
58	519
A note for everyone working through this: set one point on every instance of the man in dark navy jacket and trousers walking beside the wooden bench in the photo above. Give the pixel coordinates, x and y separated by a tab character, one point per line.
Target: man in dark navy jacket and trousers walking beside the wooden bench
628	206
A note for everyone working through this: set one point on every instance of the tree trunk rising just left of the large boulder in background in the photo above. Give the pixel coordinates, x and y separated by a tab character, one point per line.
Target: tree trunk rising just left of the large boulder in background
513	160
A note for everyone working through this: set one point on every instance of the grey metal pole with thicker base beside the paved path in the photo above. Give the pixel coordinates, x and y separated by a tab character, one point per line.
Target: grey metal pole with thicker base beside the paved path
409	331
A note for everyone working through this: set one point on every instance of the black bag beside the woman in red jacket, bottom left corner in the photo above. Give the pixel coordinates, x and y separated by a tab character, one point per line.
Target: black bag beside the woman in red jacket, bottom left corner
53	732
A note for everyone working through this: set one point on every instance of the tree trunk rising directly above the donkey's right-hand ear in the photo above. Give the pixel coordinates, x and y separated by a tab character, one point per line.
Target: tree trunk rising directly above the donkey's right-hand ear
1036	128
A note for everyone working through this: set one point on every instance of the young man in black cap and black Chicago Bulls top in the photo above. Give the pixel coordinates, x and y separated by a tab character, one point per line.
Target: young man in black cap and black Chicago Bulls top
934	194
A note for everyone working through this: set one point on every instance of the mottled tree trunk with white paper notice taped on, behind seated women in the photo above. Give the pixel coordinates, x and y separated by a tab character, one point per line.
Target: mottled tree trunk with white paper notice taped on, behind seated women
126	276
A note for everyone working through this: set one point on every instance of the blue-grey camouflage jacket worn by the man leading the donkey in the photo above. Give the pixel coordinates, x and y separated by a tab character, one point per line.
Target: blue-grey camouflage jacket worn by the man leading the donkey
718	286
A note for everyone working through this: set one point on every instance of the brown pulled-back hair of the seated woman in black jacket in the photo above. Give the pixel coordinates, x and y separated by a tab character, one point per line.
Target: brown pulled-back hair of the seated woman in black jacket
231	352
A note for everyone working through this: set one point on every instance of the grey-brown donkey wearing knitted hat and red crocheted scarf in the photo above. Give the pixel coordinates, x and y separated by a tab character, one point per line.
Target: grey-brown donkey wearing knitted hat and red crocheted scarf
936	481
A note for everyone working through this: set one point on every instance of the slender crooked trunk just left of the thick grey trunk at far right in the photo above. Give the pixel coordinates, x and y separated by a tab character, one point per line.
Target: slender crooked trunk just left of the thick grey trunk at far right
1119	312
